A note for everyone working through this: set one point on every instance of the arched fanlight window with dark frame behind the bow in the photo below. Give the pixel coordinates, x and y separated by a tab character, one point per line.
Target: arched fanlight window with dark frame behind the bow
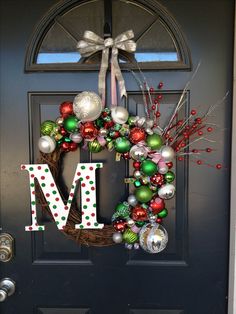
160	41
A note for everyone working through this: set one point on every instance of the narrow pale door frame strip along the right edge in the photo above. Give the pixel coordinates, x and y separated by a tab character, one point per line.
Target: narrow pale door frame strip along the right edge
232	252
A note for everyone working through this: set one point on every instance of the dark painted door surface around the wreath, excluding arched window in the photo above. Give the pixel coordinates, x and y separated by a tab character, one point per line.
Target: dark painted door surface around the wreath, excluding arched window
53	274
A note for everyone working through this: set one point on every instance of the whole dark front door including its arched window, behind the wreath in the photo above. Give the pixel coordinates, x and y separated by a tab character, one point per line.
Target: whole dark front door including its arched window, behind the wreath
55	275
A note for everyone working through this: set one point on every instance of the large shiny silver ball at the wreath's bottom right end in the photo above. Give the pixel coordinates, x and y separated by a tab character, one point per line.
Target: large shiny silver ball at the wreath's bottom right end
153	238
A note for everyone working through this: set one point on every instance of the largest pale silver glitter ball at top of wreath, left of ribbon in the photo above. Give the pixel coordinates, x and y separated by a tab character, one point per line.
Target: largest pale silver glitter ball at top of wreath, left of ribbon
87	106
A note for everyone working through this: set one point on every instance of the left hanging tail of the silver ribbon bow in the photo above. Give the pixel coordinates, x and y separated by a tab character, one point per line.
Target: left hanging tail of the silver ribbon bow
102	75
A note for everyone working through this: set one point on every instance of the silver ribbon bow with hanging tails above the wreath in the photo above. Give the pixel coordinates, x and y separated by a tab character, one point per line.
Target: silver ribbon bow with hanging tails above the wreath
92	43
